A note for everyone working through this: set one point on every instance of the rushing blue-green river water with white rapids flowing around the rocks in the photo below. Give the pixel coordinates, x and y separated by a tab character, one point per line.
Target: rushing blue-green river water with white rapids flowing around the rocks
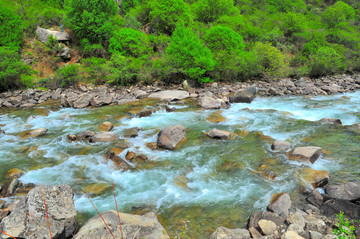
205	183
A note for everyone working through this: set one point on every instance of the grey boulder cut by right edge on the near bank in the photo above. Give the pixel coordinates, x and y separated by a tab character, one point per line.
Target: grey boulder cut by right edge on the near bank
348	191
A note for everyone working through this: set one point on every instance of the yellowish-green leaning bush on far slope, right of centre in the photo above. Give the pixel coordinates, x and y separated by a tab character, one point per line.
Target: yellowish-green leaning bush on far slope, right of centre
270	58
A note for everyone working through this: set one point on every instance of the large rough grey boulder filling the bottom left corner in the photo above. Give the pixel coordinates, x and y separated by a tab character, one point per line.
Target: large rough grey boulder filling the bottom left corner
28	219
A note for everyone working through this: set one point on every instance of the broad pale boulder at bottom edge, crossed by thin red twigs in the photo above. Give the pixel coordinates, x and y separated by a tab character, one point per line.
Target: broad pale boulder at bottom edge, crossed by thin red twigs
133	226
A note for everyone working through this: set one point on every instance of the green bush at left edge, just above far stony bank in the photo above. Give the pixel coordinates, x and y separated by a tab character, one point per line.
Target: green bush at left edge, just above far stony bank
13	72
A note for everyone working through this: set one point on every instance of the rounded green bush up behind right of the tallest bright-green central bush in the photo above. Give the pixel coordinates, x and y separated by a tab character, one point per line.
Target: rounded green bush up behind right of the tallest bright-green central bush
221	38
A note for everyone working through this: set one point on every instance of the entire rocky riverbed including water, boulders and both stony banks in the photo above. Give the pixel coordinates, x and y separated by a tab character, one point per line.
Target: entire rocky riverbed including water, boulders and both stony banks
179	152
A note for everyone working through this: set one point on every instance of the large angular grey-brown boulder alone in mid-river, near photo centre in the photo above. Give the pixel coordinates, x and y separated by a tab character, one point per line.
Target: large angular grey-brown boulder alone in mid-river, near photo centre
171	137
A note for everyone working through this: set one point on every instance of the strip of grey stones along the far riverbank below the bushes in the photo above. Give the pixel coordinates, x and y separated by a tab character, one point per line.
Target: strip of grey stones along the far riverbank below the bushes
99	96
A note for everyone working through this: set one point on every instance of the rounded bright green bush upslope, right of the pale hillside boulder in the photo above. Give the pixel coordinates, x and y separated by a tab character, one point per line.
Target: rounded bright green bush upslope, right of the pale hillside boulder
129	42
